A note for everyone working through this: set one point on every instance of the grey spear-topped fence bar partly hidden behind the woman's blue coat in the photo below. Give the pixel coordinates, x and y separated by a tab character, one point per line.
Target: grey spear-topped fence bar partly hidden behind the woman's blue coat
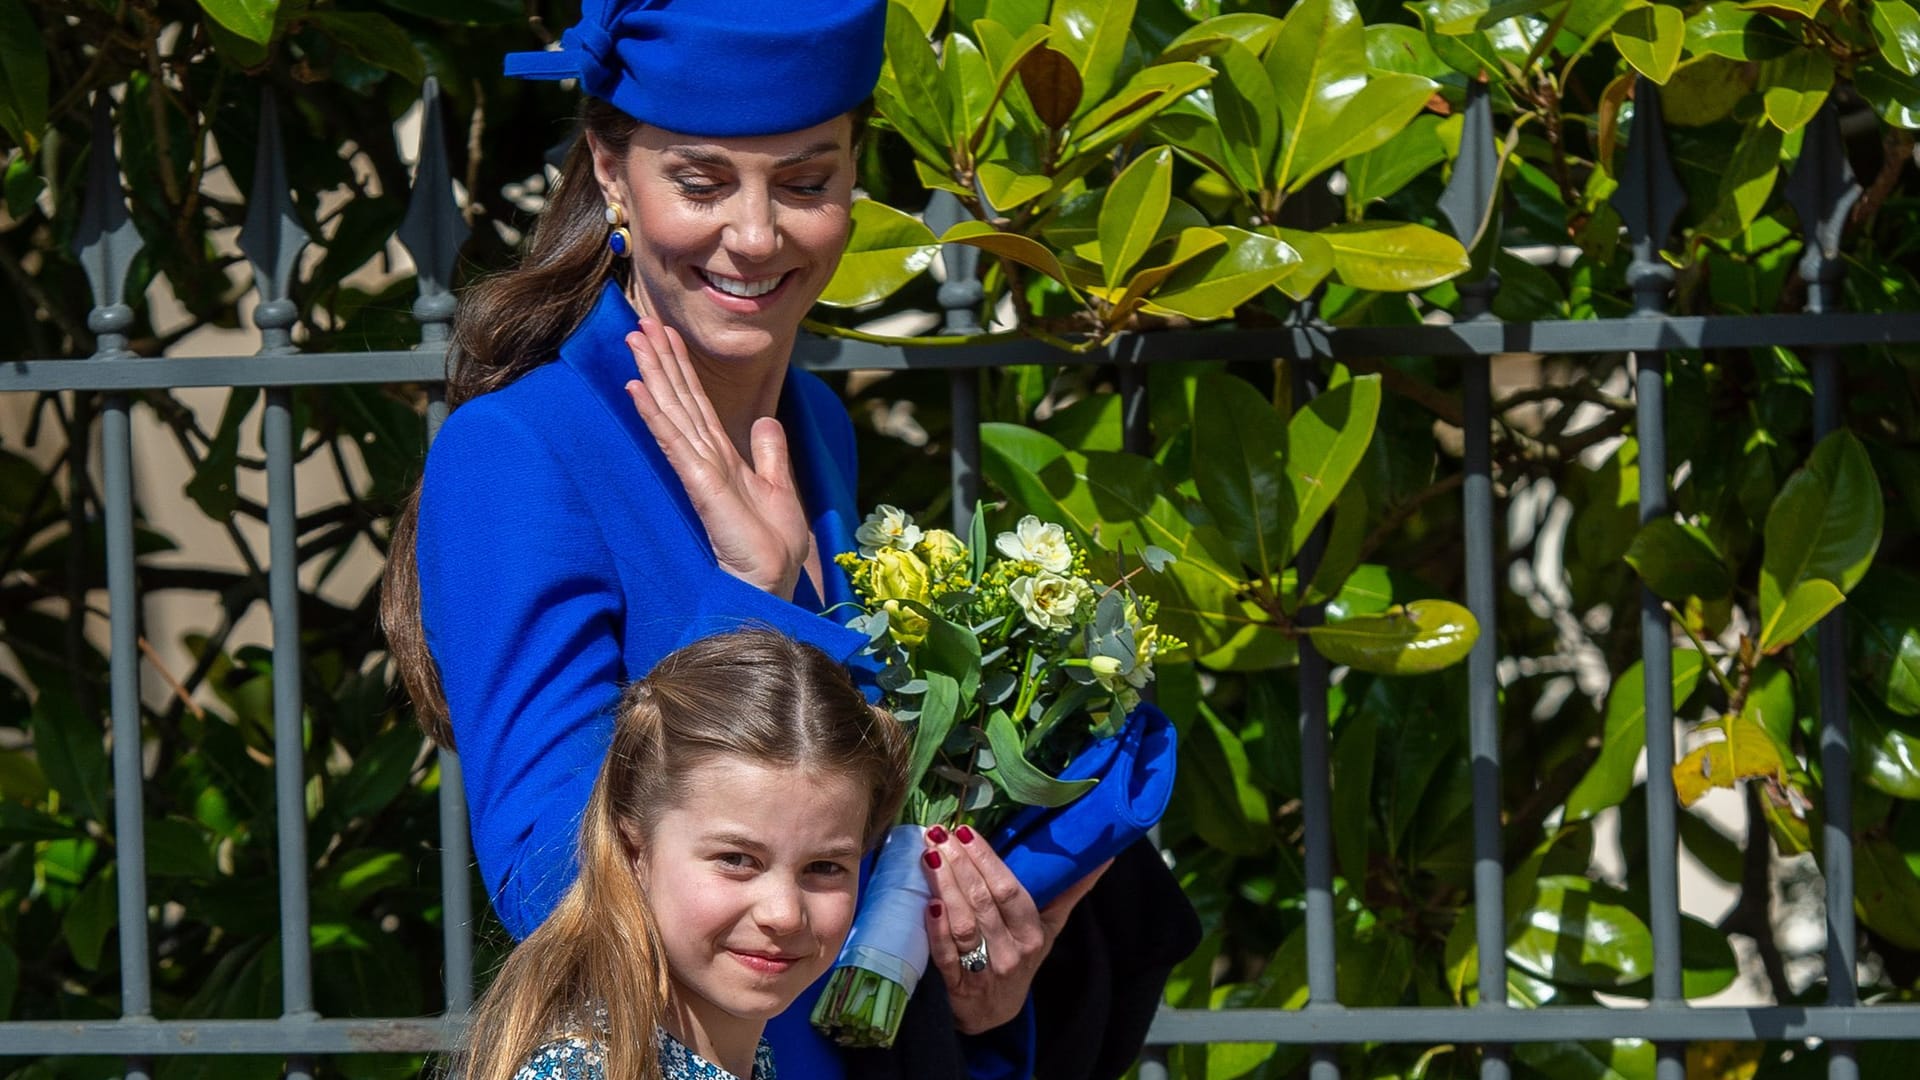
433	233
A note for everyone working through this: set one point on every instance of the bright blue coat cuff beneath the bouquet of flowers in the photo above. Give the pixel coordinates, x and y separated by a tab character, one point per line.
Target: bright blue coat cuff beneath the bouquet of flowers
1051	848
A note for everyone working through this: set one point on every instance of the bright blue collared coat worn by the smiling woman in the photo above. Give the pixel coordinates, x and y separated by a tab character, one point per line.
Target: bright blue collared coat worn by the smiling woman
560	558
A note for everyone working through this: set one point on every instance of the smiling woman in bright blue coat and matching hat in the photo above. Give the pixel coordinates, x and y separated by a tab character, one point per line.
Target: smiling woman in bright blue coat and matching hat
577	524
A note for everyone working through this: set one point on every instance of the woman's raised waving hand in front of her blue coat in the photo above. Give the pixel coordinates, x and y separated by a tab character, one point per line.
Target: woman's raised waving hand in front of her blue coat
750	508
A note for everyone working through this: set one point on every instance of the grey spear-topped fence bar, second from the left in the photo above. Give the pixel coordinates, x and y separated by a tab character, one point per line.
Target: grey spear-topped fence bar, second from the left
272	241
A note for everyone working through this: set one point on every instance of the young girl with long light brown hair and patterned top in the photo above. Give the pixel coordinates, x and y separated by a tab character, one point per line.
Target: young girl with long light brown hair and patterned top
719	871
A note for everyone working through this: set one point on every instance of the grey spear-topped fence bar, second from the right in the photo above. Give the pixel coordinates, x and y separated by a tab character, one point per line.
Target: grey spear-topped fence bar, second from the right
1650	201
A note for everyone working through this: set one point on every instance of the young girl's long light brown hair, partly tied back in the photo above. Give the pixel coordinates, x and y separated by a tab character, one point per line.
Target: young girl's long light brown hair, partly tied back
596	970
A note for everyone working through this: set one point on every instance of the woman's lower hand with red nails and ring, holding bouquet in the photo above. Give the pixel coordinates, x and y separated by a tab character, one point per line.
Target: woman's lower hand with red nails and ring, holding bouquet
978	900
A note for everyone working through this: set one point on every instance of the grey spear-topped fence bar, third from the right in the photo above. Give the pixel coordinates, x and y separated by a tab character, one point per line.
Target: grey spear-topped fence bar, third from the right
1472	207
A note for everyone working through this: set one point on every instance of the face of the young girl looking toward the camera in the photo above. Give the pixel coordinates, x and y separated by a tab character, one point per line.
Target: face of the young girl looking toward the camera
754	883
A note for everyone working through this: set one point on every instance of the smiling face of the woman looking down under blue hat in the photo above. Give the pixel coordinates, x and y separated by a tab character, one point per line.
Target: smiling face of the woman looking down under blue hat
734	239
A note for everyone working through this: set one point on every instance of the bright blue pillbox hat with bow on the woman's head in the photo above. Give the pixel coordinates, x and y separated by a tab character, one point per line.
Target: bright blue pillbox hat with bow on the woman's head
721	68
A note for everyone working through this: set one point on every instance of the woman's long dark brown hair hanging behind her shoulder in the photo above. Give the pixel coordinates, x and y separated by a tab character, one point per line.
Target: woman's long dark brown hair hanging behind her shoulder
508	326
